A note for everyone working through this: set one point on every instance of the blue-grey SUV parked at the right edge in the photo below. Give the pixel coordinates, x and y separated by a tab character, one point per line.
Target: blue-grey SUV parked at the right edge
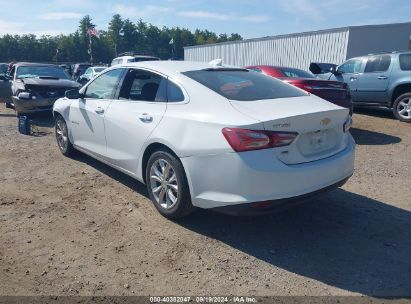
377	80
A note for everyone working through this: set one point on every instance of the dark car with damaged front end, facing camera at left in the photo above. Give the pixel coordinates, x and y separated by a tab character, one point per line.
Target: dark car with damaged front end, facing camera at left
34	87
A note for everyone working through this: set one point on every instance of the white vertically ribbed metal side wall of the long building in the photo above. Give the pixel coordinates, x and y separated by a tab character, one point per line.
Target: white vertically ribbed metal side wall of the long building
296	50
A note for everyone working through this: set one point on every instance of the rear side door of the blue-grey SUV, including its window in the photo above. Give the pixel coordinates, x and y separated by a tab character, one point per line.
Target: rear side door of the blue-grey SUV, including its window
373	83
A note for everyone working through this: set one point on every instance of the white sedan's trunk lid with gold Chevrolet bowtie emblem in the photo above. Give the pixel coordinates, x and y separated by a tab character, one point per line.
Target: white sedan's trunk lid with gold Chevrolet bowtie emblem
319	125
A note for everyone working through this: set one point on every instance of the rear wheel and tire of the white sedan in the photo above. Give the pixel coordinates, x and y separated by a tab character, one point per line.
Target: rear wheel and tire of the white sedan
172	196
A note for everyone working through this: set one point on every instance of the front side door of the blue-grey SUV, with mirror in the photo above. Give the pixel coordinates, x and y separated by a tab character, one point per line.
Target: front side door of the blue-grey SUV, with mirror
349	73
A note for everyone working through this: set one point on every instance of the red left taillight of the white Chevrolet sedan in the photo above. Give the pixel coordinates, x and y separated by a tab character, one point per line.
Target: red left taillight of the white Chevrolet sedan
247	140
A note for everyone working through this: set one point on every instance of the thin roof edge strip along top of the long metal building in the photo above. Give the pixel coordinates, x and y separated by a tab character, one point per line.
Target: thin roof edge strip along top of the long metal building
332	30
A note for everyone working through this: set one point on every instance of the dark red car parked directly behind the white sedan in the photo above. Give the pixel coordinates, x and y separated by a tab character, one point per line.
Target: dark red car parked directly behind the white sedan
334	91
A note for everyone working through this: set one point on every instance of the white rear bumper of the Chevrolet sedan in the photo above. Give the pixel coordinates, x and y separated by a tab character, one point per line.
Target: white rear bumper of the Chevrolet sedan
256	176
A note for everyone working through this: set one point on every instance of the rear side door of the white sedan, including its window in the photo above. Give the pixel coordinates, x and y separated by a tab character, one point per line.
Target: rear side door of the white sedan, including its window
132	117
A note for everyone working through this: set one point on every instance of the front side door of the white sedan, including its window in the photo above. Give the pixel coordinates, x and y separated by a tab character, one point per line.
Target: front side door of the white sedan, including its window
86	114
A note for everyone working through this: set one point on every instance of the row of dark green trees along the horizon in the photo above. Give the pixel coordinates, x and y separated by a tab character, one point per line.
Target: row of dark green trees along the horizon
121	35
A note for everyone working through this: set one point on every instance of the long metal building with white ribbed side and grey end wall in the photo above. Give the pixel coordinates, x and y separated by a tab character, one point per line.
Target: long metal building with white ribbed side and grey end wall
298	50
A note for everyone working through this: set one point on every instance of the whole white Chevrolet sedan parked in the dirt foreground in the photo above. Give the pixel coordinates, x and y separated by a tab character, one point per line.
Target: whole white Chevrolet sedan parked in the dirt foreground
208	136
